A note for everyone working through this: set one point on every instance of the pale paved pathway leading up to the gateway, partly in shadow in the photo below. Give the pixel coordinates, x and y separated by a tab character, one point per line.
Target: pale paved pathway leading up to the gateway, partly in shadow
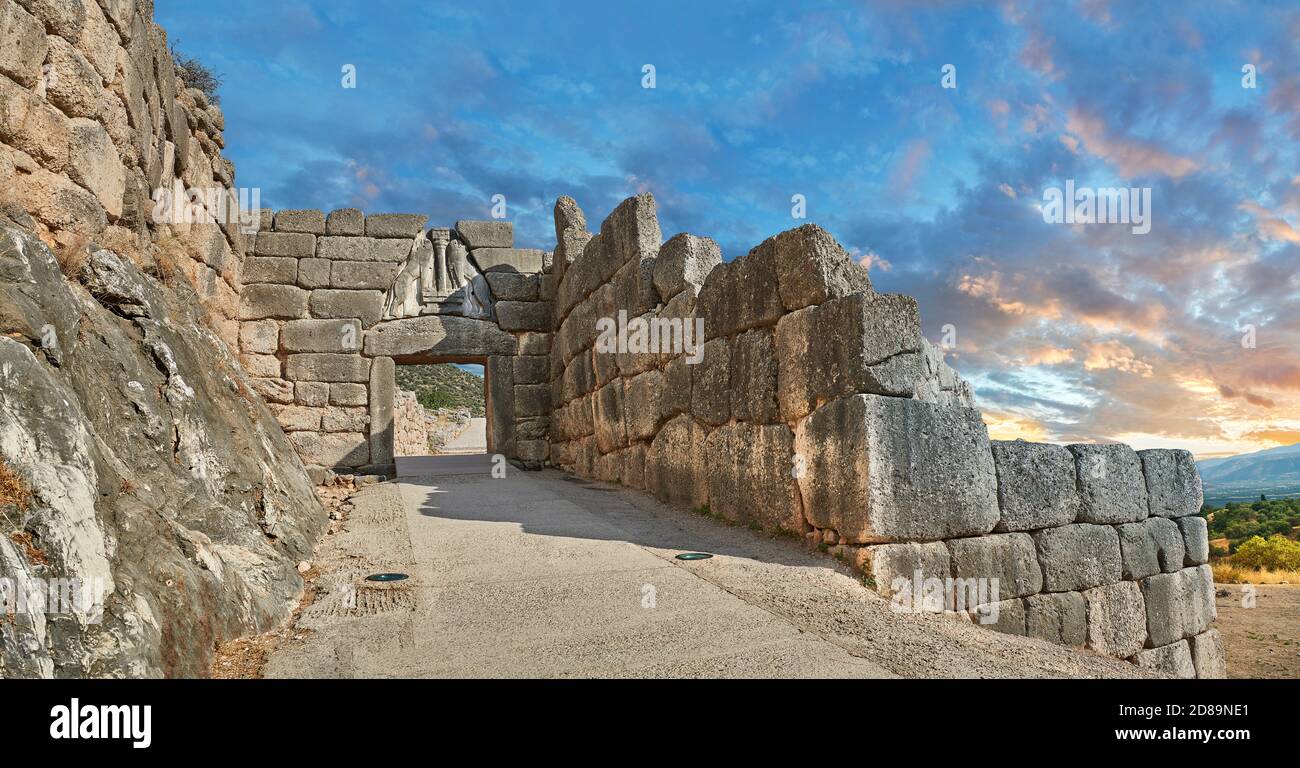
543	575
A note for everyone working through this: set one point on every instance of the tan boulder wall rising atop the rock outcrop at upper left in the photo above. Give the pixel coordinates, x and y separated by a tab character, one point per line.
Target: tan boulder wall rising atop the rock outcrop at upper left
94	123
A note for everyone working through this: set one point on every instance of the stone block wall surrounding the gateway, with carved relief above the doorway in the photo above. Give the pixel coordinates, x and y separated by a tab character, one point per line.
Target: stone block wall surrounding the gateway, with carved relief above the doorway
323	329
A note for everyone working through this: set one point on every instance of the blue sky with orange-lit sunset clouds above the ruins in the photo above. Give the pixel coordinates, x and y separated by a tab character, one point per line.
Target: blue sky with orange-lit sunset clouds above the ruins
1084	332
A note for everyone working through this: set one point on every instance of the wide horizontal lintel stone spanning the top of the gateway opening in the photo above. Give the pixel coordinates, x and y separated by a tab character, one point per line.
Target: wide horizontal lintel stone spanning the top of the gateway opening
439	335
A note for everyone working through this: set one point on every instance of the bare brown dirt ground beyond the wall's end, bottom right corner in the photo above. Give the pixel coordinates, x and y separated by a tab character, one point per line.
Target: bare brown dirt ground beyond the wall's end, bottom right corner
1263	641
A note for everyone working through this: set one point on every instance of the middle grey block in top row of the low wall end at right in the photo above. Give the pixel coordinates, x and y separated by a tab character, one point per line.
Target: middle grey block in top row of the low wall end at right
1112	488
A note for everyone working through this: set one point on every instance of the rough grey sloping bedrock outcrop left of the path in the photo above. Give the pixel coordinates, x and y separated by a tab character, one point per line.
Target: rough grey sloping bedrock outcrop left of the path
155	475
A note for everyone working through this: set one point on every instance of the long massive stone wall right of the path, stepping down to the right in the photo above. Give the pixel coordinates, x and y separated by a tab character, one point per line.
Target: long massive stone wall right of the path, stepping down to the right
816	407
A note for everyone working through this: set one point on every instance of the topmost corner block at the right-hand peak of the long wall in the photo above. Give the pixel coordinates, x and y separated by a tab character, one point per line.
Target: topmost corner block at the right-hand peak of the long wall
812	268
